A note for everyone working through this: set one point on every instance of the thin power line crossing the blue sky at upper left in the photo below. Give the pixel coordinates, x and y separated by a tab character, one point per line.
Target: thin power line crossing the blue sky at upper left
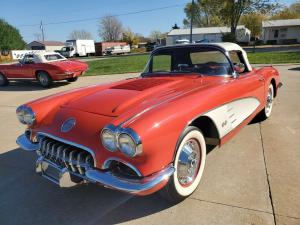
97	18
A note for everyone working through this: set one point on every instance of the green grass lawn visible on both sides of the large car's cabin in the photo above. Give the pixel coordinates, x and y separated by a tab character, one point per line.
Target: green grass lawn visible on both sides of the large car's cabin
136	63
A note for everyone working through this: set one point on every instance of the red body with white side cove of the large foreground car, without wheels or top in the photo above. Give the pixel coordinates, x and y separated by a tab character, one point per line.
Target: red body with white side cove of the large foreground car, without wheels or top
158	108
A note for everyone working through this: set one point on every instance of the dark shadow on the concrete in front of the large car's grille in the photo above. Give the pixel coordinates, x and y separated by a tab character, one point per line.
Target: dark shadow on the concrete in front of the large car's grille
27	198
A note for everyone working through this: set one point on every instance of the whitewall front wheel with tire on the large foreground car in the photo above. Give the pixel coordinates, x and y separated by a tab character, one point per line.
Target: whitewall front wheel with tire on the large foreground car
189	164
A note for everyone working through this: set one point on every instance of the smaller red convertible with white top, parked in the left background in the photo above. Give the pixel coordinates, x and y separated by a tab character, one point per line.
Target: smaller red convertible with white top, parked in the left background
45	67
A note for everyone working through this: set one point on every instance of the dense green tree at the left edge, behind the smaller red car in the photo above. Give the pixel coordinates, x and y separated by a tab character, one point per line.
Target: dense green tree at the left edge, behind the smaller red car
10	37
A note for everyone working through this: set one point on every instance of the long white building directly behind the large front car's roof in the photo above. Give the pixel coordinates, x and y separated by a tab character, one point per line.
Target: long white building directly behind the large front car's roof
211	34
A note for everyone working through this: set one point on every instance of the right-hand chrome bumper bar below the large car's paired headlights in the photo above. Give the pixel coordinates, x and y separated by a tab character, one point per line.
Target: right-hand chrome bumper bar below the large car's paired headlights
133	186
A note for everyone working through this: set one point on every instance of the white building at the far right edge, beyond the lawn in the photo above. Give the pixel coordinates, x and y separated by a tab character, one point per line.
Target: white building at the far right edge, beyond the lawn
281	31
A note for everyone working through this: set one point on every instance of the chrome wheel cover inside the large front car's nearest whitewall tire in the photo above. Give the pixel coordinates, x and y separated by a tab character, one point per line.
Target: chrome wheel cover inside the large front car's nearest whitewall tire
189	162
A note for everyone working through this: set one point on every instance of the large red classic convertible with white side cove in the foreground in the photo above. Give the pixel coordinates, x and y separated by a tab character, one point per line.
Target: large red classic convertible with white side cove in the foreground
153	132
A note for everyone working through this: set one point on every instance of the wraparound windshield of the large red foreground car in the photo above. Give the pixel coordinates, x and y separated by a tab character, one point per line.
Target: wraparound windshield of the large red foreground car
189	59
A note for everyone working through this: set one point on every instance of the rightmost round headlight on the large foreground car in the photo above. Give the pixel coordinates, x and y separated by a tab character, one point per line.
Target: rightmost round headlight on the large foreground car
127	145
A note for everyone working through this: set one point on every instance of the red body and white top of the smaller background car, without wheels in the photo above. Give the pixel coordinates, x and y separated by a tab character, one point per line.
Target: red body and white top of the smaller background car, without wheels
62	69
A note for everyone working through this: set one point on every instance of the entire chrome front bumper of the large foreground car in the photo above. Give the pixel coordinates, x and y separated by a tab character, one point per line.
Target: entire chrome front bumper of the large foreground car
63	177
